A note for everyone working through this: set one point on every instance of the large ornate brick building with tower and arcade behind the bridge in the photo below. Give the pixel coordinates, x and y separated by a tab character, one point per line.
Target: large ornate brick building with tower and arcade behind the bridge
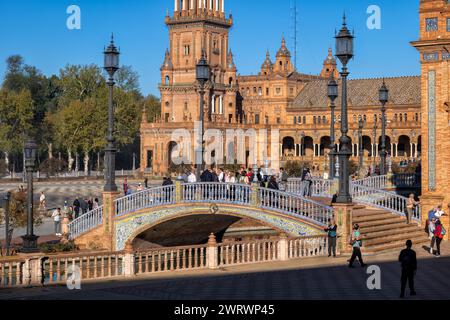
277	97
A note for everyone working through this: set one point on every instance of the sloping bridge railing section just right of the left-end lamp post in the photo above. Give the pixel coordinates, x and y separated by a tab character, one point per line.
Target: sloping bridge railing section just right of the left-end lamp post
145	199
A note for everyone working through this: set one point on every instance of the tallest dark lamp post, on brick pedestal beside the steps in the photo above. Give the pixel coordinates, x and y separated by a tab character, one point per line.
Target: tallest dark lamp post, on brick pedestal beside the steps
344	51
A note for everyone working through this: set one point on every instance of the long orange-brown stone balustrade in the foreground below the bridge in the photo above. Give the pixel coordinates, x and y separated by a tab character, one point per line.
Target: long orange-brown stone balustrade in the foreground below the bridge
40	269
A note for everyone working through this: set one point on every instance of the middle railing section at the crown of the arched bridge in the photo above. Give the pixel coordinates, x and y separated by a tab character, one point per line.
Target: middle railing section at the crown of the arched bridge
216	192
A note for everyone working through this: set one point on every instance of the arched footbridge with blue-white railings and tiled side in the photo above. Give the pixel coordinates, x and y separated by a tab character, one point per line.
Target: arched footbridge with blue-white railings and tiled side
125	218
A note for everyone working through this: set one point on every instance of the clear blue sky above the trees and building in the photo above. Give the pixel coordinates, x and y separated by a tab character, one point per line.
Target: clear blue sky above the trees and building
37	30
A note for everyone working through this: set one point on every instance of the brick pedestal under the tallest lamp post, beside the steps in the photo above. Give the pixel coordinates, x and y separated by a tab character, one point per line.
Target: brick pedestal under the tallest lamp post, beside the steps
343	218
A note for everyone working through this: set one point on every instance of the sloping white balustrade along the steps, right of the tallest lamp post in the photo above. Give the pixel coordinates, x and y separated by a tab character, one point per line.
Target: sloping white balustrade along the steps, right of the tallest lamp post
383	199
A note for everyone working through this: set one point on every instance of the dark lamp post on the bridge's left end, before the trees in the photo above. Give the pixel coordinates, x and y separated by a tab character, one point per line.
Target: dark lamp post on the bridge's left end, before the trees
111	66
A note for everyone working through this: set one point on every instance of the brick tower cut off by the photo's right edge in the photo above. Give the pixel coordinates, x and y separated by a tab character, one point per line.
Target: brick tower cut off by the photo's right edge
434	48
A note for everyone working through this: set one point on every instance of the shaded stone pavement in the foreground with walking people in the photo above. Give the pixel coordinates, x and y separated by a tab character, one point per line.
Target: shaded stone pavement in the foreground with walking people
307	279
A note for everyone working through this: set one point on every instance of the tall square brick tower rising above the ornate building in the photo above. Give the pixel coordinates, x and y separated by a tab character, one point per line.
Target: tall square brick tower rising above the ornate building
197	24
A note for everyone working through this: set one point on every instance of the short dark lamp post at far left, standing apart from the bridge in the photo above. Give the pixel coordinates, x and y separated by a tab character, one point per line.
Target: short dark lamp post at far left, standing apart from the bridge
30	240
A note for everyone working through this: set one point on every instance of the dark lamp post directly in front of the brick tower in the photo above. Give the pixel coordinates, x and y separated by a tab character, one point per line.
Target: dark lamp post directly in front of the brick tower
203	74
